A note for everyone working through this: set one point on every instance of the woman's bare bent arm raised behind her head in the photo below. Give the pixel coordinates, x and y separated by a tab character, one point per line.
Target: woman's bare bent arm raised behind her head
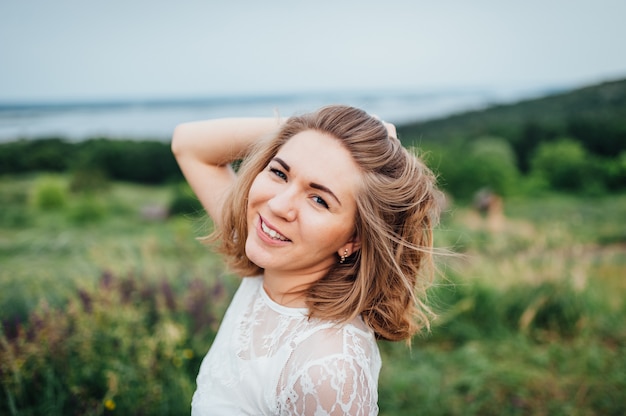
205	149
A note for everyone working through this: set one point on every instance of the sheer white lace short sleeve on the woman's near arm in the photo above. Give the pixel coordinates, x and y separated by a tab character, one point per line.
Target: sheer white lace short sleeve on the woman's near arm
336	386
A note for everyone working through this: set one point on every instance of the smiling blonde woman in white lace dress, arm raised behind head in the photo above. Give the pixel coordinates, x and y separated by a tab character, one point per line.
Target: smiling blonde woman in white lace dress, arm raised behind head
330	219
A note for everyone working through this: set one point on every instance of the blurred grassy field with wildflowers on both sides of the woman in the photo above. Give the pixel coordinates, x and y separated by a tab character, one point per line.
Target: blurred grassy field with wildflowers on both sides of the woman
106	310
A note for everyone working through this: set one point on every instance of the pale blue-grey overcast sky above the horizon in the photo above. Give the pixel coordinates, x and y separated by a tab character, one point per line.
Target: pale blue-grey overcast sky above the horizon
118	49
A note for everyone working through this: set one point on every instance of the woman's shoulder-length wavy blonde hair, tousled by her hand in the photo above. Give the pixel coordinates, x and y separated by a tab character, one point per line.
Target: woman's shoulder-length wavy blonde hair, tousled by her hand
385	281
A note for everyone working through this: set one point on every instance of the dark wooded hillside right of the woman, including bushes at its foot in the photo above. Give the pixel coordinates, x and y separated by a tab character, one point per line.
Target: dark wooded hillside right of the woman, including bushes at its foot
573	141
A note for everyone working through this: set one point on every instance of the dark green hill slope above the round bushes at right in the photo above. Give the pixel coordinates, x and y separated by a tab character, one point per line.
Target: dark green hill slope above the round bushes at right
594	115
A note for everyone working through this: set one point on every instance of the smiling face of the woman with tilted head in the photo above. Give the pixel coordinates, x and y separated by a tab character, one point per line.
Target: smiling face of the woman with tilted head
301	207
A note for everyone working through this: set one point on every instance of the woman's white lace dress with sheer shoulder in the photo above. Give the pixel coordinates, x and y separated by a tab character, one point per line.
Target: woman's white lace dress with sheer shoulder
268	359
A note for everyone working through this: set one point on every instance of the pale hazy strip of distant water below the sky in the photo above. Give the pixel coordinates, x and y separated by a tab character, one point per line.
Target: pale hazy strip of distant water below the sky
156	120
